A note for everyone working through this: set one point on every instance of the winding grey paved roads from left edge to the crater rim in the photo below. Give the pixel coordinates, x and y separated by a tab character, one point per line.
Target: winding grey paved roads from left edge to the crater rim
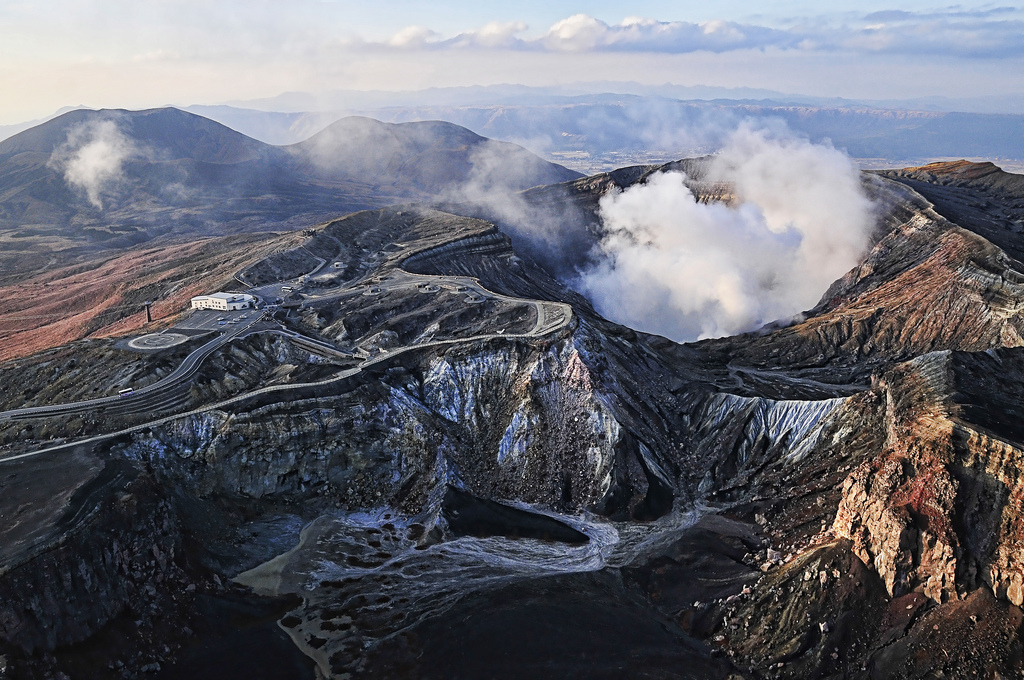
551	317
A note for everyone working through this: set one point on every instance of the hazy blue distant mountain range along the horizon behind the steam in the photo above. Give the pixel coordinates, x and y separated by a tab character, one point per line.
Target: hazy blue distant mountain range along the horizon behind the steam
600	133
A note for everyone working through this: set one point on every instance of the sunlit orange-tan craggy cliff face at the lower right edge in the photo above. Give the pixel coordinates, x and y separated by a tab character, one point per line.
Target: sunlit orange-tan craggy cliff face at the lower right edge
938	508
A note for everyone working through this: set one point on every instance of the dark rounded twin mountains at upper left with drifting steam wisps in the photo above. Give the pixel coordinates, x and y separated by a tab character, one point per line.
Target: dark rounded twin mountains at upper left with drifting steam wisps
112	179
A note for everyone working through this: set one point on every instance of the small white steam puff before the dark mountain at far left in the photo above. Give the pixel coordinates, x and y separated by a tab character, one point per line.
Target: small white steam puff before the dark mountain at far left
93	157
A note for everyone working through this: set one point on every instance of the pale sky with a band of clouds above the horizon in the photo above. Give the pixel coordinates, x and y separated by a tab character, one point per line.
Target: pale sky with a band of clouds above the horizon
139	54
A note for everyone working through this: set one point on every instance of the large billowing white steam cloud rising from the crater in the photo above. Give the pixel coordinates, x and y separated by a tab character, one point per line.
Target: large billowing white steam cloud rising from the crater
686	270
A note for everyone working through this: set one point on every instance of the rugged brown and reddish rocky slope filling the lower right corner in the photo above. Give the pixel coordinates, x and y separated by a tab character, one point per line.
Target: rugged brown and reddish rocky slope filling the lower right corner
891	550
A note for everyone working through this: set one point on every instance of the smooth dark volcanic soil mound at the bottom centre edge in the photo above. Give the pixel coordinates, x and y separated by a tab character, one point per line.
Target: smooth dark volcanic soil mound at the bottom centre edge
586	626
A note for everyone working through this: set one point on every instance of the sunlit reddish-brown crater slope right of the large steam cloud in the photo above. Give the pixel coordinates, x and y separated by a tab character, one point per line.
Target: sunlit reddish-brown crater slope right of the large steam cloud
927	285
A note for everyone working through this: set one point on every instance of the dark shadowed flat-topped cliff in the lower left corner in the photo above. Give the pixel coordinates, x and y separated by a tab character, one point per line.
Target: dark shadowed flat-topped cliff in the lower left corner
102	559
